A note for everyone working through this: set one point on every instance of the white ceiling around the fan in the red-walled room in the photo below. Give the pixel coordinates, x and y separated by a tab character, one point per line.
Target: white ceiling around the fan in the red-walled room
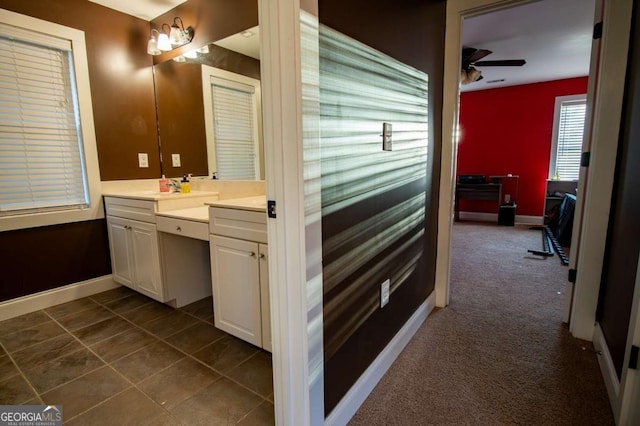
553	36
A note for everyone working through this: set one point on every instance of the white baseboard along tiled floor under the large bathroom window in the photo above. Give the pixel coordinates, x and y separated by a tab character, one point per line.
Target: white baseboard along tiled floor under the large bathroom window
45	299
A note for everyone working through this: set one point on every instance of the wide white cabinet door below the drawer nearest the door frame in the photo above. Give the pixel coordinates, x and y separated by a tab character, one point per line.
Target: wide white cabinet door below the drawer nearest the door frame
236	288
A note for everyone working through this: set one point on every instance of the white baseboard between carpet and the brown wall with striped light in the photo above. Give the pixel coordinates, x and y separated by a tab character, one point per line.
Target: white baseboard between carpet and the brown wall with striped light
350	403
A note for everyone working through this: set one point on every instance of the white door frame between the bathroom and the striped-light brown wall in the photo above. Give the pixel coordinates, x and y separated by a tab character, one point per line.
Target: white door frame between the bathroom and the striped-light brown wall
280	45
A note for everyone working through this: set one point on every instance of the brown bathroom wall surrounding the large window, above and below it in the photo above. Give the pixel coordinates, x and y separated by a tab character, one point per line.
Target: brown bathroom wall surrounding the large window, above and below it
121	80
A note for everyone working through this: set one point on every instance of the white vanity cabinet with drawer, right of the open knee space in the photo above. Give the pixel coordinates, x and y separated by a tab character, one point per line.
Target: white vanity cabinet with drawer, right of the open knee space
240	274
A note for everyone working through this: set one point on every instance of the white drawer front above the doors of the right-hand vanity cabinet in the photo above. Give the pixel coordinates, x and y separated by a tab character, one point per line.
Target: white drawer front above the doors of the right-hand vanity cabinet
242	224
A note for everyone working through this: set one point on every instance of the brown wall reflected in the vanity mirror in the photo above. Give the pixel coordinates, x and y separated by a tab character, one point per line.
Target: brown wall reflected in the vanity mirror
179	98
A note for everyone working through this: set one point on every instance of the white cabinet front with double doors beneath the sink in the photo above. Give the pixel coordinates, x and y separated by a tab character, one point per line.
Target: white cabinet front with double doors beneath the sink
135	251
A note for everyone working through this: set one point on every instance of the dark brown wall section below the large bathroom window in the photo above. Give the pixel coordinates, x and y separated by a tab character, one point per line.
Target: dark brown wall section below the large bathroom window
39	259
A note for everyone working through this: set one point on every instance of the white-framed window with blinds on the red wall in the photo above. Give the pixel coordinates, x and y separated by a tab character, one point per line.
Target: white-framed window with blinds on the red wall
568	133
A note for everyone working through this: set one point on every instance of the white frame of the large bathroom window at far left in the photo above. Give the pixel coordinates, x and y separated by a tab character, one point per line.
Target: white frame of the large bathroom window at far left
26	219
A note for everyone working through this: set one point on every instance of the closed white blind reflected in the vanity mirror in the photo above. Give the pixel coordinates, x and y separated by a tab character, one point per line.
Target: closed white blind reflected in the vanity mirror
235	133
